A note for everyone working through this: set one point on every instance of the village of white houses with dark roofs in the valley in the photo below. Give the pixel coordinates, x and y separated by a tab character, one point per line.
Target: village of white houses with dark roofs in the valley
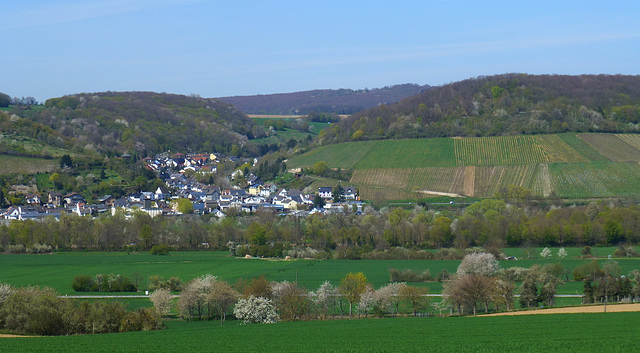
177	172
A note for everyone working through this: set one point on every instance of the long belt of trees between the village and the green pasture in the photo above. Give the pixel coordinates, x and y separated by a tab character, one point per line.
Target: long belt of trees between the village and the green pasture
376	234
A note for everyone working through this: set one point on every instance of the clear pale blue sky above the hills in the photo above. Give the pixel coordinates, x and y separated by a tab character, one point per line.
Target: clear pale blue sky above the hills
226	48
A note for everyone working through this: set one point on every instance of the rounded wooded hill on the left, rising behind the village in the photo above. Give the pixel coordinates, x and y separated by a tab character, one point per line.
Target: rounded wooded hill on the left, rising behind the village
133	122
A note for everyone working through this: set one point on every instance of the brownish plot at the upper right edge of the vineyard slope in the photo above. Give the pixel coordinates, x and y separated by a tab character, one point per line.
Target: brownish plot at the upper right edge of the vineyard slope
613	147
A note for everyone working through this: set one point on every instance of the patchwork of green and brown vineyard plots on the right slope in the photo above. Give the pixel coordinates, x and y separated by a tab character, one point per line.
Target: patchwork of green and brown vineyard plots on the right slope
567	165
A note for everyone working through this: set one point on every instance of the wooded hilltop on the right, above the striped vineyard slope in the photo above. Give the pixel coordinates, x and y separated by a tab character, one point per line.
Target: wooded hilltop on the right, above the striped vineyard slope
503	105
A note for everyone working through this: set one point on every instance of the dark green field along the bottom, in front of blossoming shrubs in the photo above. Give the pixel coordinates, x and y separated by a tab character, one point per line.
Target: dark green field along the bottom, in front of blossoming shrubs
611	332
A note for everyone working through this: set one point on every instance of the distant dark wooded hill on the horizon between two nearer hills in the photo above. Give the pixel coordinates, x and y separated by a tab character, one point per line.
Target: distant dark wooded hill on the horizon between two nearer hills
340	101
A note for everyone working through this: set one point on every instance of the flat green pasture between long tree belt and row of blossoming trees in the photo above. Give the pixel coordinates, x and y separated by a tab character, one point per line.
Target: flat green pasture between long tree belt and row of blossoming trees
57	270
